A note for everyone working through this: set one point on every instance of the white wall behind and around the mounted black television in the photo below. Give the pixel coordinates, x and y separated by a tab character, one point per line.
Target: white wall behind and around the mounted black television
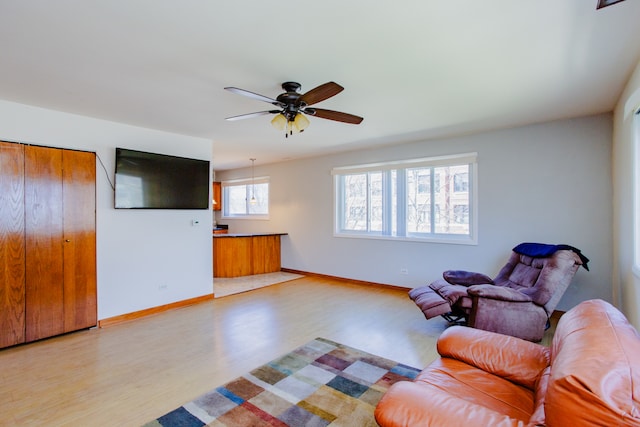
138	250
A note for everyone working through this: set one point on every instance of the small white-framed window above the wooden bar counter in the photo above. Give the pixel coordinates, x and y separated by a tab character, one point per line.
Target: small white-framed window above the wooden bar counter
246	198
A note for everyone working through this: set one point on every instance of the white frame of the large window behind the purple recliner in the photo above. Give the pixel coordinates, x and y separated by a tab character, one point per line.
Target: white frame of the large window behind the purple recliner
469	159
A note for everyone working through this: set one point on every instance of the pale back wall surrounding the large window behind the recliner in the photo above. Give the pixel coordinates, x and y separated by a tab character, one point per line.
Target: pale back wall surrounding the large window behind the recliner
543	183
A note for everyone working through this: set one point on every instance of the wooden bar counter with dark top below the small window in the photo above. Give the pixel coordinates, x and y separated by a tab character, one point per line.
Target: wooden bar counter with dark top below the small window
236	255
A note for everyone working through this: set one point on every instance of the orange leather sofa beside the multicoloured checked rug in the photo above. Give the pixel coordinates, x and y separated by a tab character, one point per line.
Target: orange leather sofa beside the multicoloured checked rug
589	376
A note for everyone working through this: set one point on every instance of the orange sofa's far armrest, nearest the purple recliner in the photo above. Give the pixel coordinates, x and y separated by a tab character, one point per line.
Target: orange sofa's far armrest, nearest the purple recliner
514	359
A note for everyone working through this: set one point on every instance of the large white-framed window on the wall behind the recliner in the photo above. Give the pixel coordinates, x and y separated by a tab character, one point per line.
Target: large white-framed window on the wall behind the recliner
427	199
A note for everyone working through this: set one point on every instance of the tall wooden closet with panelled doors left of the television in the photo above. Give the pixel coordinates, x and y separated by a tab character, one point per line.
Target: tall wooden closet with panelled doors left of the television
50	219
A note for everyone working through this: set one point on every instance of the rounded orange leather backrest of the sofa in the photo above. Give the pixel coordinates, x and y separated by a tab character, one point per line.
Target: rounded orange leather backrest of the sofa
595	369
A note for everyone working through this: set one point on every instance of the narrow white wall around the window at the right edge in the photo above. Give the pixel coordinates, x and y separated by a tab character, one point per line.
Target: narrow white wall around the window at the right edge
626	283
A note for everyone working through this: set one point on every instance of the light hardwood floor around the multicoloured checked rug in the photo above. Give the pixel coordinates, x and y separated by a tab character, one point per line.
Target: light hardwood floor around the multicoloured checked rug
131	373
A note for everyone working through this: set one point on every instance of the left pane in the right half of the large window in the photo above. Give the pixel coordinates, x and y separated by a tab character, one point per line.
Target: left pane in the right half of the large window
418	190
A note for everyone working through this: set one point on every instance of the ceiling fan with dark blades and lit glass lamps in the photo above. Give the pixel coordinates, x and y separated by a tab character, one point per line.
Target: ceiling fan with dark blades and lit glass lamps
293	106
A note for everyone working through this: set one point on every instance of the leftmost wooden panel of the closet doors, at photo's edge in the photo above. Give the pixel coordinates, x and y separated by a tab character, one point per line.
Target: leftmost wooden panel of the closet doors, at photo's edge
12	245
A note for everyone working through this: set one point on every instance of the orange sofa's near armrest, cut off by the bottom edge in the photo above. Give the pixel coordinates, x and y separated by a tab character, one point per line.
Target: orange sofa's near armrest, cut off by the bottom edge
409	404
